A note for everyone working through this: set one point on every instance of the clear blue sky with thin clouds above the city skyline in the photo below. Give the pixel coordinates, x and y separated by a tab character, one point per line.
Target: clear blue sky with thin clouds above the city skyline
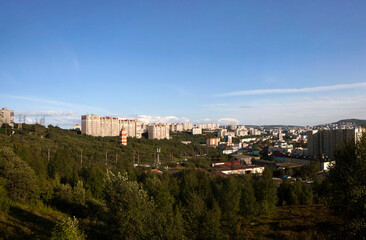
243	62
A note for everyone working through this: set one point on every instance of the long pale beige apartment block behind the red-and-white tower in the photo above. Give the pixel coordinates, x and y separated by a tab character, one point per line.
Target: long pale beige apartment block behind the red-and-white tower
107	126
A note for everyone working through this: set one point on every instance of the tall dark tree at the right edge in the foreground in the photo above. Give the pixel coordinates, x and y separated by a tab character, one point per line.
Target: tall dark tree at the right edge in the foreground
347	186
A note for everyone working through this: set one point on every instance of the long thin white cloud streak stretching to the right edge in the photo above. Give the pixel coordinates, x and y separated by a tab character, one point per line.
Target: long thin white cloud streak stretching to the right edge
294	90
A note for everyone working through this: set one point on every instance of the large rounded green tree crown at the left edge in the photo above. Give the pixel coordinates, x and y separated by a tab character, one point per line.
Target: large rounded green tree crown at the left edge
21	180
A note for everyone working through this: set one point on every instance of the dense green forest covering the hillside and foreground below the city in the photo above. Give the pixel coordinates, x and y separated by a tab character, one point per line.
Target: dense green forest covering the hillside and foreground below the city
58	184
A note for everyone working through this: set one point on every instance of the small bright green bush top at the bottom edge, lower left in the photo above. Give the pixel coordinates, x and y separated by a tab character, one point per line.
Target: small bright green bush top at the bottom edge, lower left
68	230
